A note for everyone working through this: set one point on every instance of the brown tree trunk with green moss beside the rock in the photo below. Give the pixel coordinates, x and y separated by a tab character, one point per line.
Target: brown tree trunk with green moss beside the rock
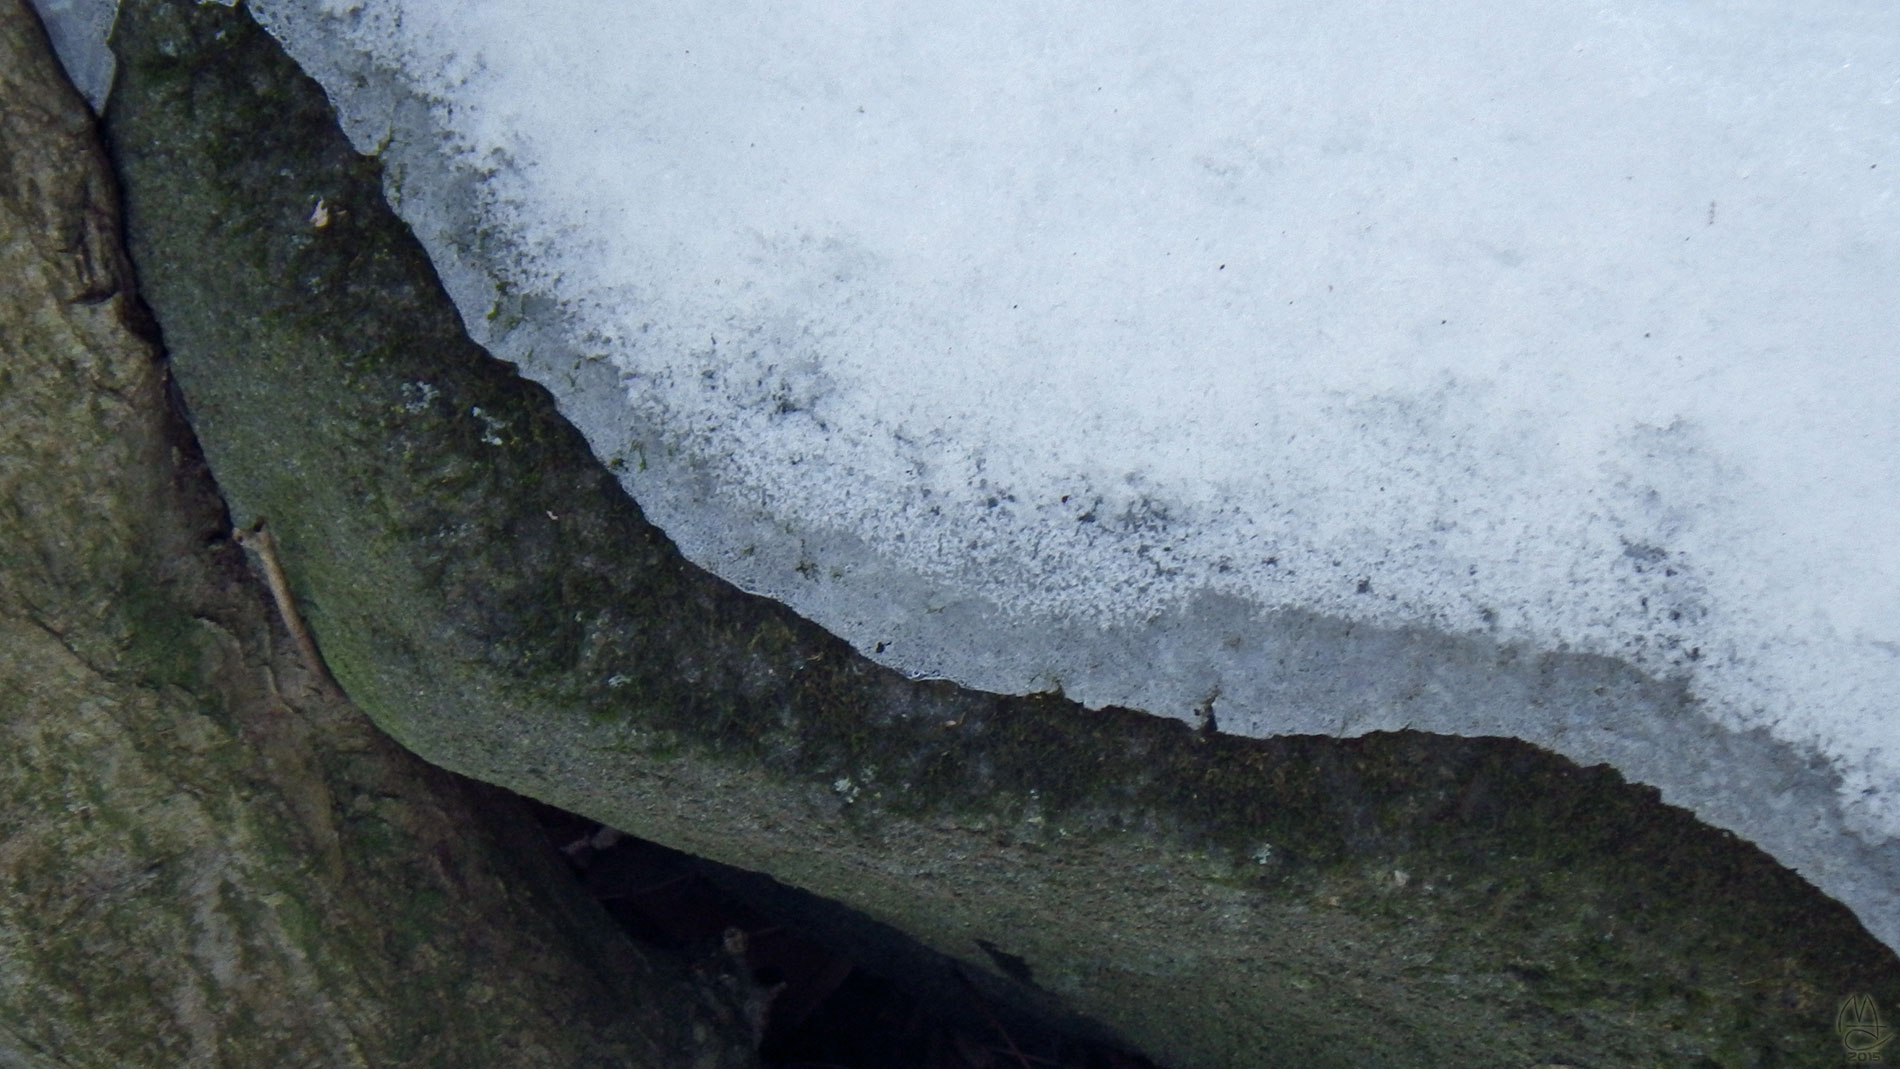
206	857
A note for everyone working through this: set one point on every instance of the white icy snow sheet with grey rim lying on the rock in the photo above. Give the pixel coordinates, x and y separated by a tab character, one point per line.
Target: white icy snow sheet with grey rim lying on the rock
1012	341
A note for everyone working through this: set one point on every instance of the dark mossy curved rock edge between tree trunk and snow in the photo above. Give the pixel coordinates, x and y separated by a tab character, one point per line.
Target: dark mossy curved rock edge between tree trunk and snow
489	595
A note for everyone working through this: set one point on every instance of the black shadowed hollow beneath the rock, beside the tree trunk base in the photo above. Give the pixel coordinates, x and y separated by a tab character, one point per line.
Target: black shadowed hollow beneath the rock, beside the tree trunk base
829	986
